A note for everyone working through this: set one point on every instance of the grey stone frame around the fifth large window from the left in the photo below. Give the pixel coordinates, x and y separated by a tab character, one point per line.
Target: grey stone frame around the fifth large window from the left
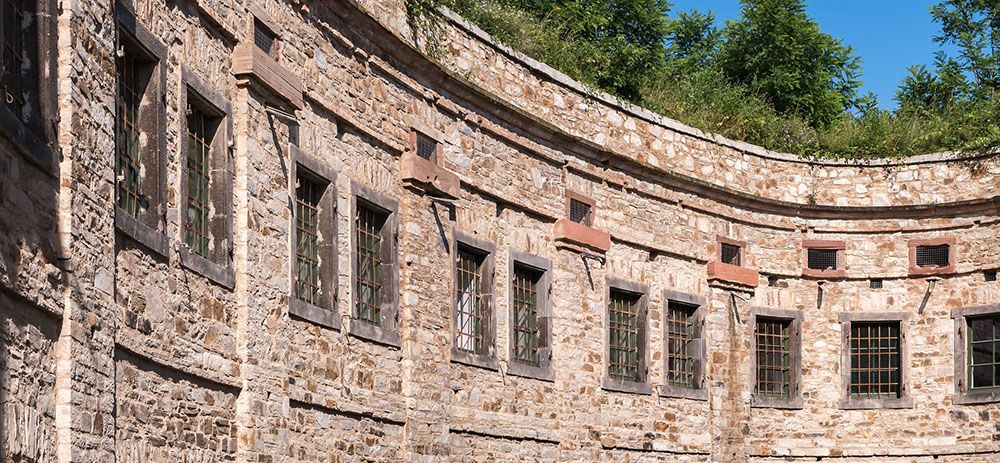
388	333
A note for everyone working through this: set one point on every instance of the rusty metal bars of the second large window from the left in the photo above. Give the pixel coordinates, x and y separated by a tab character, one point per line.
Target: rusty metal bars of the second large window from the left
128	168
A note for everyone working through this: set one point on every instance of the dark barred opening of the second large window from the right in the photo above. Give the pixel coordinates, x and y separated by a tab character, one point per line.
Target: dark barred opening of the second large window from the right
875	360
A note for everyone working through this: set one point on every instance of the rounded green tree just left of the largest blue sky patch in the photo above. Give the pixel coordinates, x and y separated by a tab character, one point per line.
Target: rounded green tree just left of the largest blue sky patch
776	50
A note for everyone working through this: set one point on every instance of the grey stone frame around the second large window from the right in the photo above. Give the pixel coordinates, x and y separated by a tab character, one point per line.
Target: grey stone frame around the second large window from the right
905	400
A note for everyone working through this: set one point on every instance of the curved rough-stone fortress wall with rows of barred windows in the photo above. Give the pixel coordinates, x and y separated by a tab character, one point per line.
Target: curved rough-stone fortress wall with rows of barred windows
118	348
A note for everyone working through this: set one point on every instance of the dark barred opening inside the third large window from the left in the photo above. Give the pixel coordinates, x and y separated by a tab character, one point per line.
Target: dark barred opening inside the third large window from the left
201	130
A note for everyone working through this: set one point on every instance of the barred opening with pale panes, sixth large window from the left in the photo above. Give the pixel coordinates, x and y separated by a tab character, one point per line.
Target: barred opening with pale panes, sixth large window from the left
471	310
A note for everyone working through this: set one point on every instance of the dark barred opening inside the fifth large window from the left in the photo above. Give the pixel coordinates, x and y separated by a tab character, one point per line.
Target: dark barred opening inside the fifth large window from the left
369	278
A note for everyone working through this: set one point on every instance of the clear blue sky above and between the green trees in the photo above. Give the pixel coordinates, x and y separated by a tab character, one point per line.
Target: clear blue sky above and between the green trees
888	35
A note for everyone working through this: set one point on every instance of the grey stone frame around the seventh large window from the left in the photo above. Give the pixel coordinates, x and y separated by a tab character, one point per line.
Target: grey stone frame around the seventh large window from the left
544	370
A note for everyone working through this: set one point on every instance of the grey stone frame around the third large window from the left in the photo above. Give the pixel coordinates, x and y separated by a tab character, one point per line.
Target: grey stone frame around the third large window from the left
218	267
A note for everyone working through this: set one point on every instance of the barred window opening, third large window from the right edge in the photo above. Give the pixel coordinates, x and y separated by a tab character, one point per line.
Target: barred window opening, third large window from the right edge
773	342
